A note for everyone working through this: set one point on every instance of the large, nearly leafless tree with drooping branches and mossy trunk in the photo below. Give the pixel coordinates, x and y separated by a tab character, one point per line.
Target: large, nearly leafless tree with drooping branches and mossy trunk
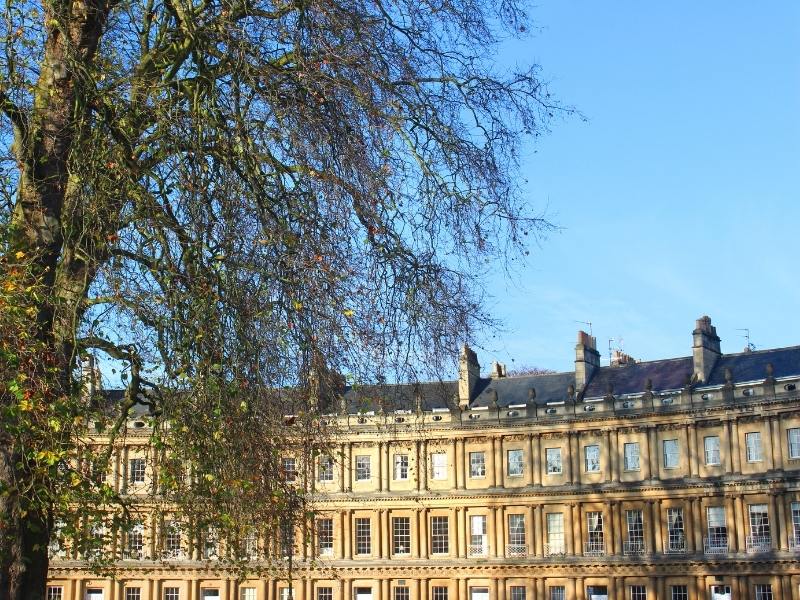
233	195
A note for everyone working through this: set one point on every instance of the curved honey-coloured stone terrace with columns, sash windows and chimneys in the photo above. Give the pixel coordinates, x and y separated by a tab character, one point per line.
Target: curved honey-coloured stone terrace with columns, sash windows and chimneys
675	479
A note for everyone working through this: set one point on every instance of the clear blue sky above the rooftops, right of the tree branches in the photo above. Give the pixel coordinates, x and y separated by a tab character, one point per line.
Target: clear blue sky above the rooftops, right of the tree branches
678	195
